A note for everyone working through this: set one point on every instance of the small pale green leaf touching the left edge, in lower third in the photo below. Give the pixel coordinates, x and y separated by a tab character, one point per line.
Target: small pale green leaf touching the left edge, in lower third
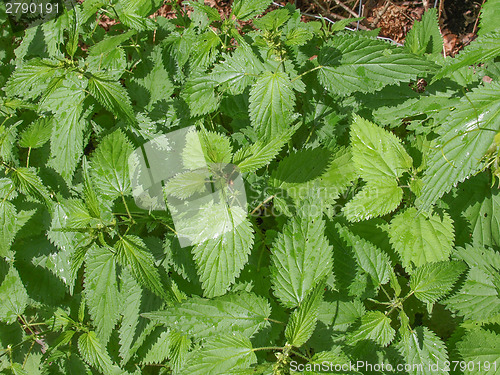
13	297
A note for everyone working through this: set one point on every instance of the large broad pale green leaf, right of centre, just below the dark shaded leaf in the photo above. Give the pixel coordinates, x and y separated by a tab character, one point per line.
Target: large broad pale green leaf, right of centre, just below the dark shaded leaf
301	256
